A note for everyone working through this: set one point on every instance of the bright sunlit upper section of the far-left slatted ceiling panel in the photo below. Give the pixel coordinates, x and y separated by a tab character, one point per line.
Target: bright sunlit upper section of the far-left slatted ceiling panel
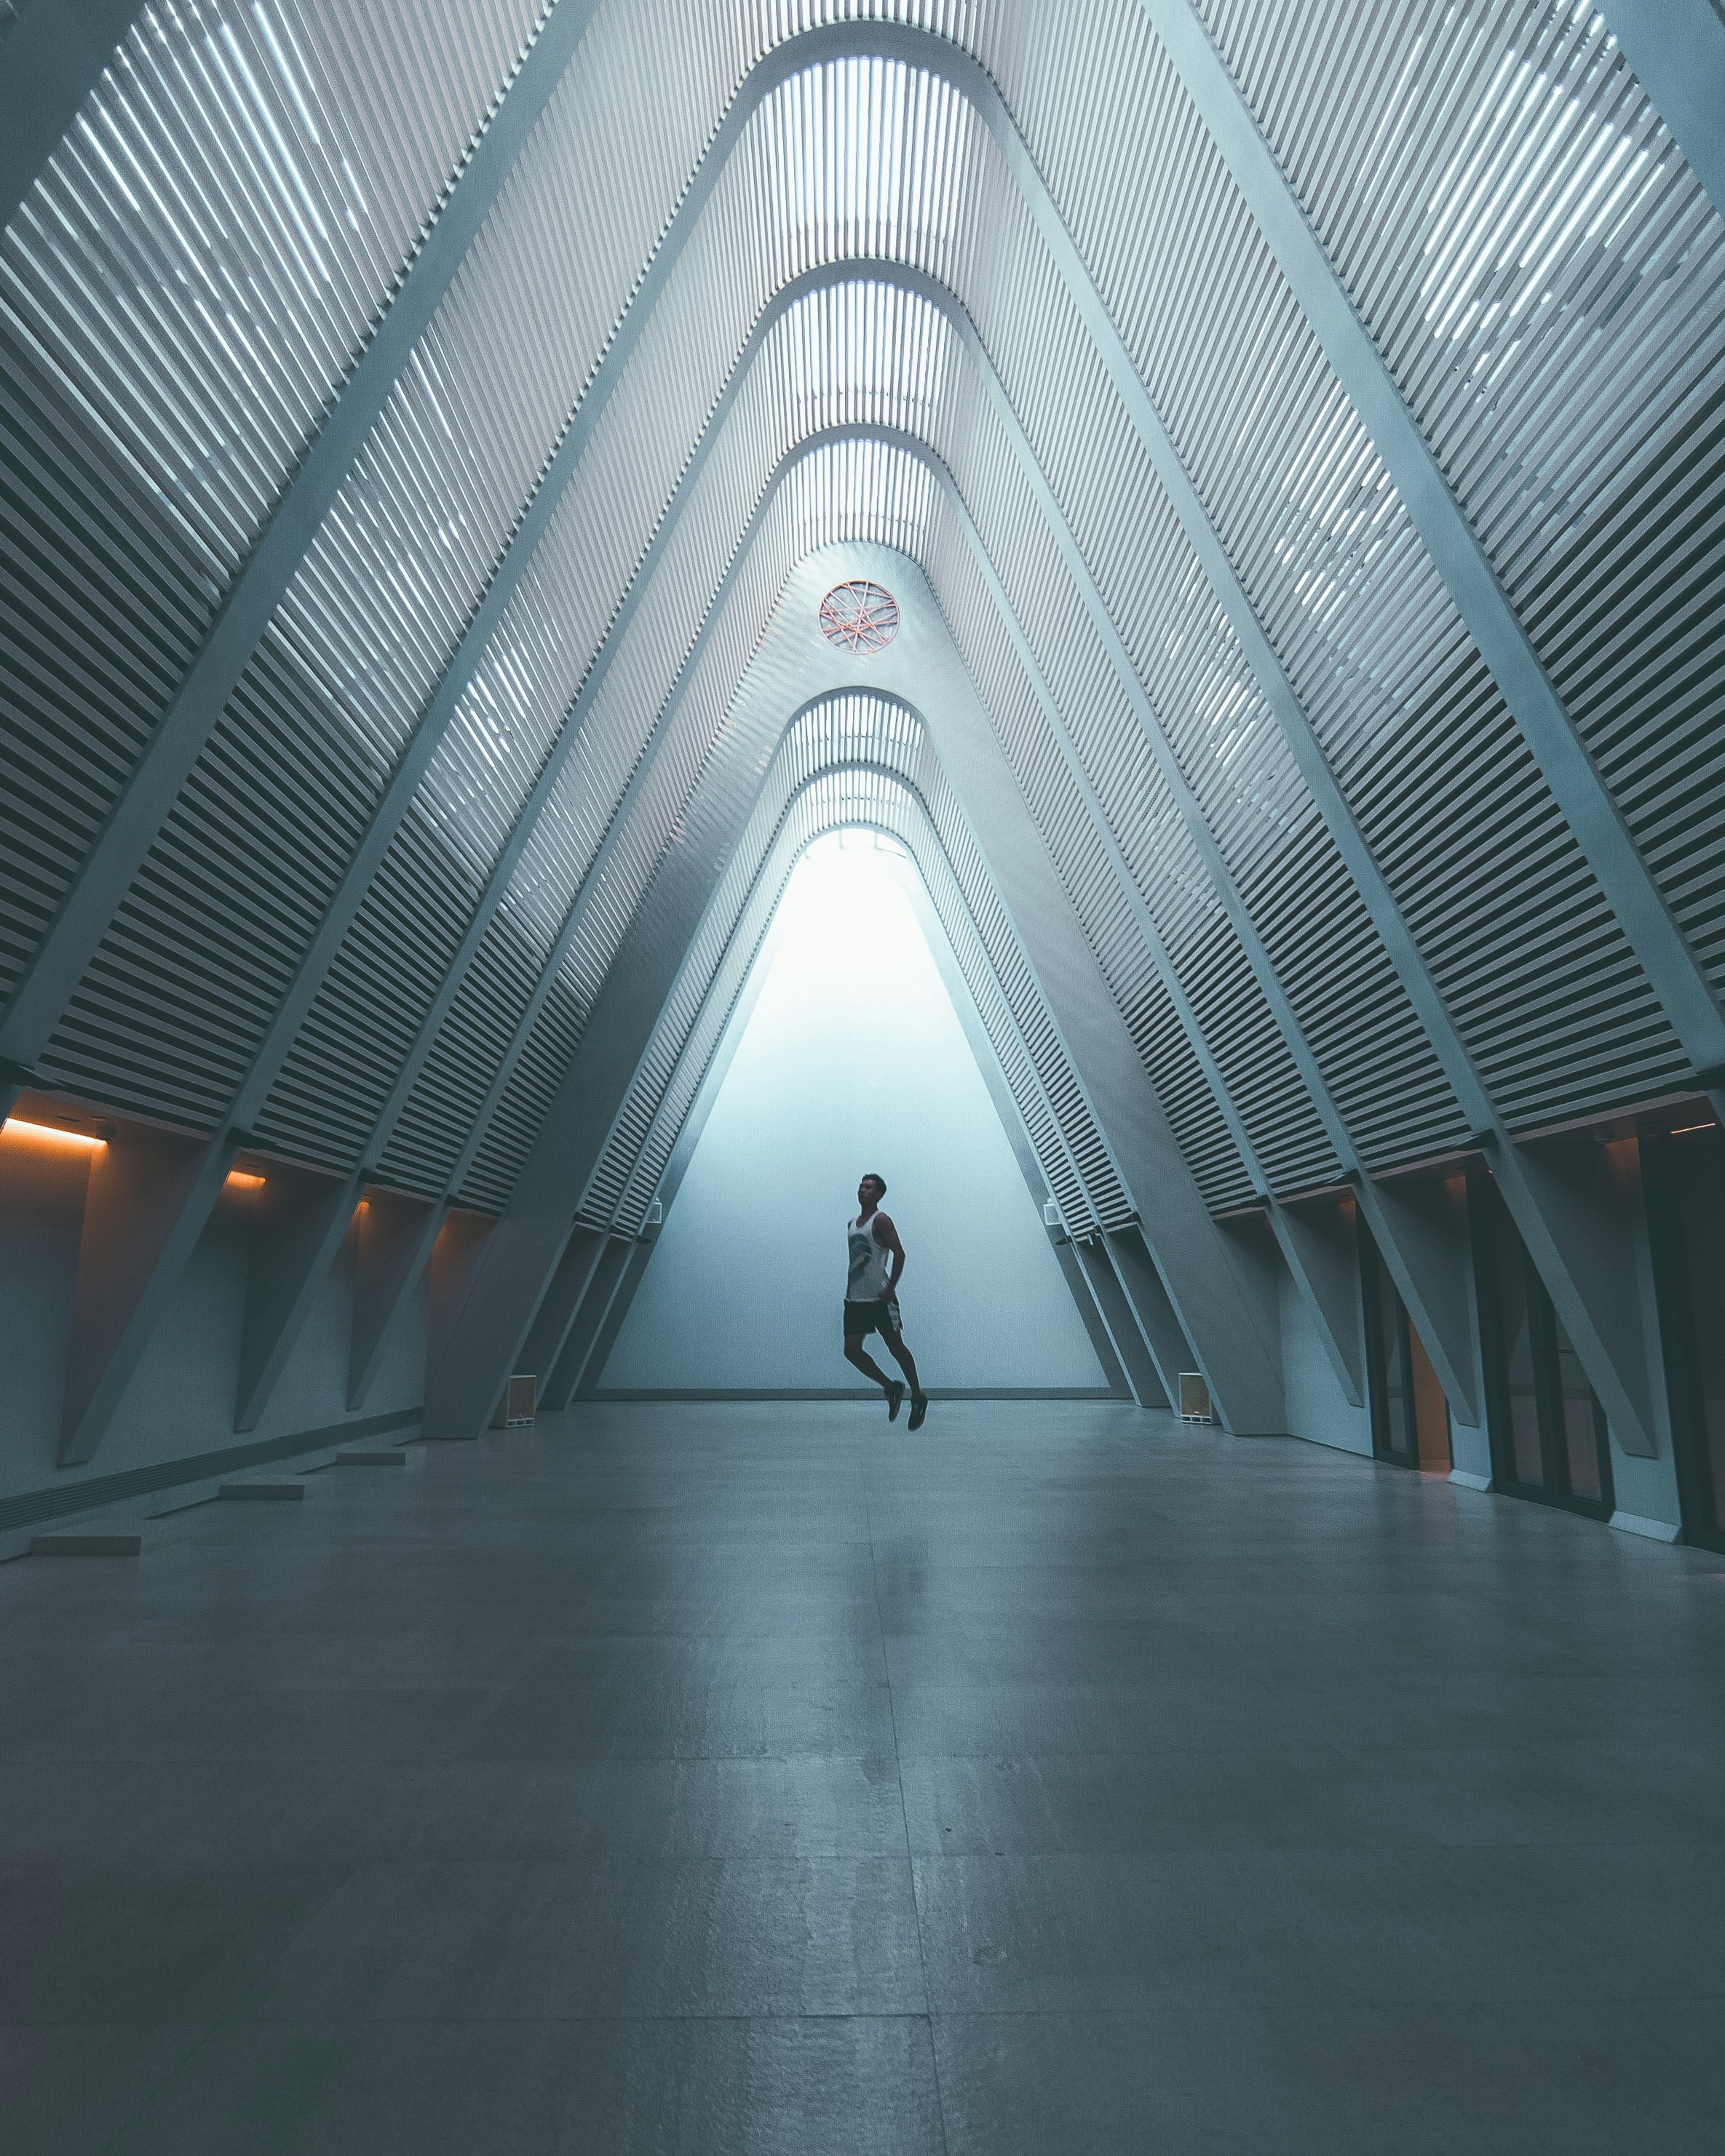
208	249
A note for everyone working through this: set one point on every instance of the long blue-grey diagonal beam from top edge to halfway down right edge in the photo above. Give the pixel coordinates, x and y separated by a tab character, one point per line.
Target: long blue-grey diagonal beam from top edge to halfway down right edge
1450	540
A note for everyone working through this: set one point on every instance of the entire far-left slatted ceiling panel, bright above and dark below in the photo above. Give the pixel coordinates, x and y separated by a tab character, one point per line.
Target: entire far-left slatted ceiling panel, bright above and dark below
182	294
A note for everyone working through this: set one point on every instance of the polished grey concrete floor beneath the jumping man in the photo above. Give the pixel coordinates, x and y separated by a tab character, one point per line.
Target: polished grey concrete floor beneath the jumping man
767	1780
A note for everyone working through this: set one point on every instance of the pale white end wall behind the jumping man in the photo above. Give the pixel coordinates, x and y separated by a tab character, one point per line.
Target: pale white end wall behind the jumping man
853	1062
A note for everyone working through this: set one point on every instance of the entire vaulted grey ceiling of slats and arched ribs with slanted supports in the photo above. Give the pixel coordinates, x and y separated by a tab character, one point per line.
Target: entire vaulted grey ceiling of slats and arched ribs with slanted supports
415	484
